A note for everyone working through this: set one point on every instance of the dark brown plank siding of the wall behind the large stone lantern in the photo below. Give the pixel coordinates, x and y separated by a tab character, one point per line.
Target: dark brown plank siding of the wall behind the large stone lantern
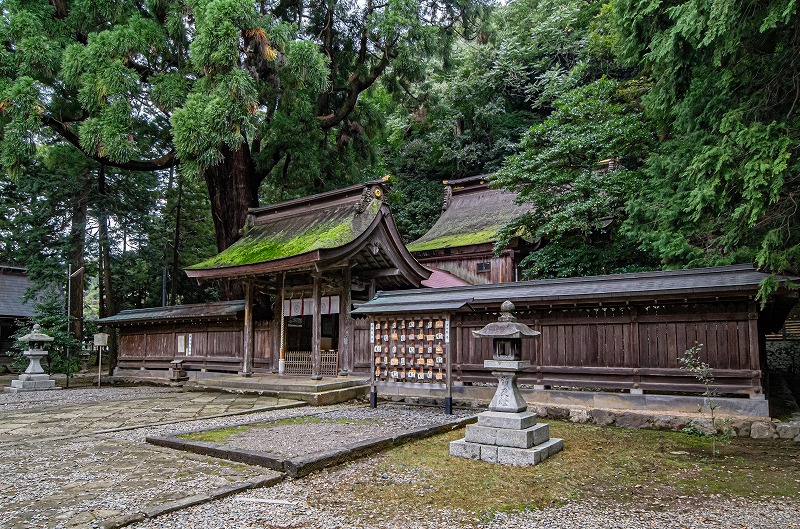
624	347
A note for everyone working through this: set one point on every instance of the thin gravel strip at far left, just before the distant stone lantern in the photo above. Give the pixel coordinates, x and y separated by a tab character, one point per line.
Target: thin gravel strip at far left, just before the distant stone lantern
43	399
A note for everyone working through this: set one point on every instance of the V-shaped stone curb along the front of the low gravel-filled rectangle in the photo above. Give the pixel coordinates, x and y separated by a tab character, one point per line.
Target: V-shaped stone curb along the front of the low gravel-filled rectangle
303	465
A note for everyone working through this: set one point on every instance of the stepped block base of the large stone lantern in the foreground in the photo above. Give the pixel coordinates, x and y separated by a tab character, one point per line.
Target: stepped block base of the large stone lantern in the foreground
508	439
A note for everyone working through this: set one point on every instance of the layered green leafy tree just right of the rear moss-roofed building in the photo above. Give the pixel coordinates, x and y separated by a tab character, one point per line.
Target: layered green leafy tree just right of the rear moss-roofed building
579	205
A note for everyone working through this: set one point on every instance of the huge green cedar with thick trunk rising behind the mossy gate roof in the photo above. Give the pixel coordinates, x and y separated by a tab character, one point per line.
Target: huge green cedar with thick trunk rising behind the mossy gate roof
255	98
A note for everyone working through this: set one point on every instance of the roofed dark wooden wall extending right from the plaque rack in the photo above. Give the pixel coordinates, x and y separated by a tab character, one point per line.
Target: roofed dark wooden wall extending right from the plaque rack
622	331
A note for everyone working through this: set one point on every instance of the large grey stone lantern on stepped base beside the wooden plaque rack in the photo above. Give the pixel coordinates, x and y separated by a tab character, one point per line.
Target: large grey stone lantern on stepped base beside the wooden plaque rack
508	433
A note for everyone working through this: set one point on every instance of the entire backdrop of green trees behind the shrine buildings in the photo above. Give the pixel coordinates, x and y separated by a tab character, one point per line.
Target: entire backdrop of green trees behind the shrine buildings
195	111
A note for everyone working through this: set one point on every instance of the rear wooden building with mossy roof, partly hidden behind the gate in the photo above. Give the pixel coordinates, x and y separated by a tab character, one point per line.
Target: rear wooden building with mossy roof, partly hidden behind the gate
462	240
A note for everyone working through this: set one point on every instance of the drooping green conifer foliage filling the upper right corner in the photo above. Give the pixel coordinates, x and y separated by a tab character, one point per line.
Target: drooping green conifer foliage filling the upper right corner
721	186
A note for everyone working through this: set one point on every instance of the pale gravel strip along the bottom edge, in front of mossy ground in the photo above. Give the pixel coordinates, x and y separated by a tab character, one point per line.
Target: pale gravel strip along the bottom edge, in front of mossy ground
312	503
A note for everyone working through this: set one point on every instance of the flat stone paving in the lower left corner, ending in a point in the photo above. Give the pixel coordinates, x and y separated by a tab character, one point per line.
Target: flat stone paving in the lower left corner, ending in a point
76	482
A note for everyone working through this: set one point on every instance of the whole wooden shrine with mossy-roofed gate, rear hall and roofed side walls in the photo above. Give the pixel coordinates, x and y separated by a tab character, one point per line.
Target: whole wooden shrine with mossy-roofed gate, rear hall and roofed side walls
330	290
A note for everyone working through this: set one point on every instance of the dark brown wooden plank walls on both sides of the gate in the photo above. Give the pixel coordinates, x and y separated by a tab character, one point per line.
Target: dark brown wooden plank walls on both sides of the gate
614	347
